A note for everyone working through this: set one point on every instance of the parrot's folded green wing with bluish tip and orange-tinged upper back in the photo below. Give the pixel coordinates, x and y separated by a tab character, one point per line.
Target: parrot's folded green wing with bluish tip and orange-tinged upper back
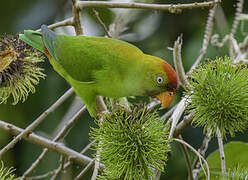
82	57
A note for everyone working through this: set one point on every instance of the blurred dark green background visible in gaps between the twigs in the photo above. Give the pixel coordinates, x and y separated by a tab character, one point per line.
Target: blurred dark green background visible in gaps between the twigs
152	31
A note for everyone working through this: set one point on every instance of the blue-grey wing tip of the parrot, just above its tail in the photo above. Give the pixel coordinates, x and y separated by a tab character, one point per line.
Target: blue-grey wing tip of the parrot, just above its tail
48	37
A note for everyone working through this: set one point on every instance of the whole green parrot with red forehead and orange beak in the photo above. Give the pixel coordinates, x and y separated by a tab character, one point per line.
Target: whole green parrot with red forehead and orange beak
103	66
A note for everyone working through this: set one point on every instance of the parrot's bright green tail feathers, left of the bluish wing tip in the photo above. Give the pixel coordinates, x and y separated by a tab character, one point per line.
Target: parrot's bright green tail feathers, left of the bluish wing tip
33	38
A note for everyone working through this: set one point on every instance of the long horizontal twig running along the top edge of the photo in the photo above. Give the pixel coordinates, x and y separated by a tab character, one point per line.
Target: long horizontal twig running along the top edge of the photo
172	8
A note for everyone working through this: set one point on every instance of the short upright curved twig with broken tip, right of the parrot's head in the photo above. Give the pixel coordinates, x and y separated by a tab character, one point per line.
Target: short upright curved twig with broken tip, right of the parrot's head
177	58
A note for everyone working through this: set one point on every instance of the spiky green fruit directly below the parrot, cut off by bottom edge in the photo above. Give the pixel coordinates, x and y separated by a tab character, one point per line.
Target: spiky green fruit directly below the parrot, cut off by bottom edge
131	144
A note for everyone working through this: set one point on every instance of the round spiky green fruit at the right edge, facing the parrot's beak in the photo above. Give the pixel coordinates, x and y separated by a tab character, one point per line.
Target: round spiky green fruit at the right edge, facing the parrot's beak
218	96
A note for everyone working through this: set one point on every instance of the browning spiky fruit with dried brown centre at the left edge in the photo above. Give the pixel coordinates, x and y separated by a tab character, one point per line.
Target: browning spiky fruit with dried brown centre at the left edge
18	69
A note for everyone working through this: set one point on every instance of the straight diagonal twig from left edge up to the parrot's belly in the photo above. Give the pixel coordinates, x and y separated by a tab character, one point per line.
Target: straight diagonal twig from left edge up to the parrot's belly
35	123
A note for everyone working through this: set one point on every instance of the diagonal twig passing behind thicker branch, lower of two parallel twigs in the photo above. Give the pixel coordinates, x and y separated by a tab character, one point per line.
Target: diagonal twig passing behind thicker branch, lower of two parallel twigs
60	135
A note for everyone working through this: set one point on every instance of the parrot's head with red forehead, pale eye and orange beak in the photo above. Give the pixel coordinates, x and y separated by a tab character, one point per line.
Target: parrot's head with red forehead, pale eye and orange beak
164	80
